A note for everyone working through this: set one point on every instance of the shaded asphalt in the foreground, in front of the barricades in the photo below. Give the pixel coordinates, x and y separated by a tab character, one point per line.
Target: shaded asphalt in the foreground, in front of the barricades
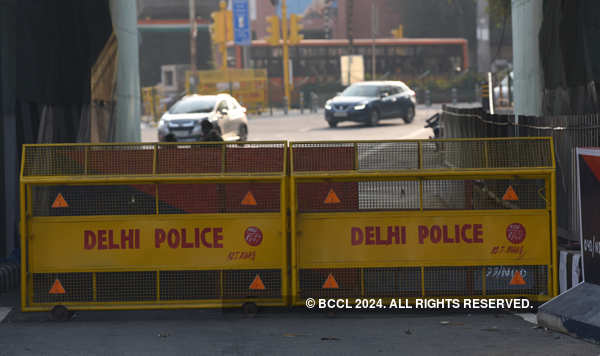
280	331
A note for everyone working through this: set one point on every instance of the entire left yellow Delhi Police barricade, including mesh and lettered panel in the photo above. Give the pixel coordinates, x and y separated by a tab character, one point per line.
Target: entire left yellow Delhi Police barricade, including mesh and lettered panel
111	226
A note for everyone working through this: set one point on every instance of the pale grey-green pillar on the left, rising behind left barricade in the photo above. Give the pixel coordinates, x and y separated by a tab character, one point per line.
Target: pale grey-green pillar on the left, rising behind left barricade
127	124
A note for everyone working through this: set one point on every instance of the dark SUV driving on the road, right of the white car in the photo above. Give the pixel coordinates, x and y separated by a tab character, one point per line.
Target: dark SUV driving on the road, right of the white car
369	102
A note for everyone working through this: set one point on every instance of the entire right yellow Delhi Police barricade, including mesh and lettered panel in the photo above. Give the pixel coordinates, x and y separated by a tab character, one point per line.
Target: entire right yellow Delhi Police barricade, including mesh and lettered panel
456	218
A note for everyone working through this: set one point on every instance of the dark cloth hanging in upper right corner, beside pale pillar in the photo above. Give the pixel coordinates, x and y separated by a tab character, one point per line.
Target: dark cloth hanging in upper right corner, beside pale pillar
570	56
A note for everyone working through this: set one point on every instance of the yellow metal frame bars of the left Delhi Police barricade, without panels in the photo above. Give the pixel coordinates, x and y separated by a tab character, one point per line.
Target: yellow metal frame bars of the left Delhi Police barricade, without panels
221	175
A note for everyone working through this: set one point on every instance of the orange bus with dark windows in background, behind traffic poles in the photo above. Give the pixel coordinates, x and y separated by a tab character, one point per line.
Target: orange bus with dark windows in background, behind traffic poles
318	60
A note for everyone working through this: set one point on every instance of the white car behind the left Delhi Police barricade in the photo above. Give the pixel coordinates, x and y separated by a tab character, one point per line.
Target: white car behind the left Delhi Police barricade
183	122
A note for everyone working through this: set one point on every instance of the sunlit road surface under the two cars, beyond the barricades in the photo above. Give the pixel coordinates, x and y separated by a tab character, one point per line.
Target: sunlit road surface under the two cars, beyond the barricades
312	126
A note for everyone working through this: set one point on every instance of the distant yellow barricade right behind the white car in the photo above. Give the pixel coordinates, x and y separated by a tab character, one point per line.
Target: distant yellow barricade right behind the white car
249	86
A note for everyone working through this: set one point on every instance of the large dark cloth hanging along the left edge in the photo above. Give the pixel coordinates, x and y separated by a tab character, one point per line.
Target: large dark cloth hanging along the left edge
47	49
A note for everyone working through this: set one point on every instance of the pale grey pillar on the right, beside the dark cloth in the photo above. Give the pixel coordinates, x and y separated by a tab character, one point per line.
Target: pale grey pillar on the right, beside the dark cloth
528	76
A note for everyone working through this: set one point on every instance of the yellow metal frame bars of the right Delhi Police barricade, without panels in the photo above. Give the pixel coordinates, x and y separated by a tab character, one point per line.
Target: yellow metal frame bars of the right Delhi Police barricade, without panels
420	174
